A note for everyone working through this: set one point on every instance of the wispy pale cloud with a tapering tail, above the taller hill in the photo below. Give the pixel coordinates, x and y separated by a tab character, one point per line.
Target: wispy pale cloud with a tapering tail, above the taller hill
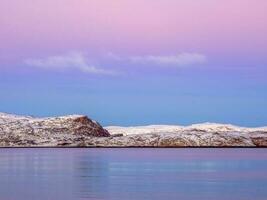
74	60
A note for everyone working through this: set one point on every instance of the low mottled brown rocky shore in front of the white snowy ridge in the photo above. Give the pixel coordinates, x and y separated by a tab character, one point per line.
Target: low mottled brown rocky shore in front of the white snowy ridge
177	139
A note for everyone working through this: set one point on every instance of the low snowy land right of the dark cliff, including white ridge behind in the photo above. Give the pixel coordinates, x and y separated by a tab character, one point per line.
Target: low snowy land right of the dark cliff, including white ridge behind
198	135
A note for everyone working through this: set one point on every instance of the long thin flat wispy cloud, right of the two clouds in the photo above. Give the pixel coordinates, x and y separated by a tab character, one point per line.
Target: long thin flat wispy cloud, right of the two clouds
178	60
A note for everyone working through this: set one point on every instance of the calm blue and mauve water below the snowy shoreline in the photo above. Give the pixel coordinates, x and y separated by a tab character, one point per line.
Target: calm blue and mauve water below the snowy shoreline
124	174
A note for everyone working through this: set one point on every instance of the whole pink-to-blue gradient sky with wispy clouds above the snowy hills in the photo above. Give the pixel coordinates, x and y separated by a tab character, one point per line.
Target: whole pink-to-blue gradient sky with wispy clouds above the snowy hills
135	62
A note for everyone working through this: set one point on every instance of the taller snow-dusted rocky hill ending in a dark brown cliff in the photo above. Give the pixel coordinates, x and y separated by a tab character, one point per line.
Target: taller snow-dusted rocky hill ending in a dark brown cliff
28	131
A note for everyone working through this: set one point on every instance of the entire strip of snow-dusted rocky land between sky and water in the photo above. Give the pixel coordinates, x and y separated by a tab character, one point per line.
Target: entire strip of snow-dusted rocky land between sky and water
80	131
